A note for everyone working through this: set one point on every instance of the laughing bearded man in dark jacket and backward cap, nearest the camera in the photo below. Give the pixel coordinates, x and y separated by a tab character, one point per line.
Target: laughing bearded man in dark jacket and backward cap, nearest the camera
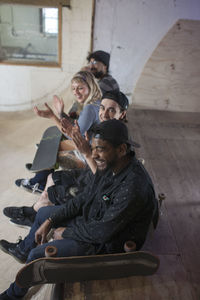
118	205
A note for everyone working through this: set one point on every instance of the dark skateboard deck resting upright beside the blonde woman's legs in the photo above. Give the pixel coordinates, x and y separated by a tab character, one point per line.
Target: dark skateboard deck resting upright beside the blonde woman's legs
46	155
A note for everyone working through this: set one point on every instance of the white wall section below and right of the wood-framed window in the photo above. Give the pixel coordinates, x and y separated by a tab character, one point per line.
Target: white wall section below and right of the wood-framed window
23	86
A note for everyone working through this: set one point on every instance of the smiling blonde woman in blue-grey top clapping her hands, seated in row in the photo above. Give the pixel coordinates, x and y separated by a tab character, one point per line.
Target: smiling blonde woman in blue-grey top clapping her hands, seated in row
88	96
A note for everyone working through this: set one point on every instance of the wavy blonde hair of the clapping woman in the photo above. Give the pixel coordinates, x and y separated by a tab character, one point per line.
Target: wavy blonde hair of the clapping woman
89	79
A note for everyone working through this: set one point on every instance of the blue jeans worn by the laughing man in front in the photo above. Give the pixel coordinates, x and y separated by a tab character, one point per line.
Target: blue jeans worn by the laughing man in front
65	247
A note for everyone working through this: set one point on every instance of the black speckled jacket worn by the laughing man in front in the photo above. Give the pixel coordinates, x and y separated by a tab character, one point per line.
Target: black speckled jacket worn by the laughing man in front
111	210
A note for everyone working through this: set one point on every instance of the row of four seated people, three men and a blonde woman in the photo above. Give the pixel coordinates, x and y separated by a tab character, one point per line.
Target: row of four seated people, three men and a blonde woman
106	199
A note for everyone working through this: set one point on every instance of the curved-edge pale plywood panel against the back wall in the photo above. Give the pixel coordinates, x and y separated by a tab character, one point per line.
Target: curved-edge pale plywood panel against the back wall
170	78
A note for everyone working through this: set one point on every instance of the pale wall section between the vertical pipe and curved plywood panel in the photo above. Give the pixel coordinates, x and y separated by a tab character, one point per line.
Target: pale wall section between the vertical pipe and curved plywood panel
132	29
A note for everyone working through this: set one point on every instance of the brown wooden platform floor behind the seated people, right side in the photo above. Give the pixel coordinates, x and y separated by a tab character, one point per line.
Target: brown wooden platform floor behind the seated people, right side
171	149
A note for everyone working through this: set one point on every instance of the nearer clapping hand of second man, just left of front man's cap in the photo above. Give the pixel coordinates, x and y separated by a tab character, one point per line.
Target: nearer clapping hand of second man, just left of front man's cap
82	144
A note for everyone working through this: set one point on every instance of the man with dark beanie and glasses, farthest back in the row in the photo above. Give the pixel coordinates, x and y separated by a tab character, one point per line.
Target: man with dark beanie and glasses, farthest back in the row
98	64
